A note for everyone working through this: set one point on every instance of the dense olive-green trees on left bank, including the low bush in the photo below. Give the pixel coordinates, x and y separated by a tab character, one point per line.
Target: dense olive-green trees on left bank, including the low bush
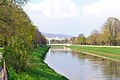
18	35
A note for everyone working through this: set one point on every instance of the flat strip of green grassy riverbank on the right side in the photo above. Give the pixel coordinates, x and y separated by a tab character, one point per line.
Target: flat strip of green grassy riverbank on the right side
107	52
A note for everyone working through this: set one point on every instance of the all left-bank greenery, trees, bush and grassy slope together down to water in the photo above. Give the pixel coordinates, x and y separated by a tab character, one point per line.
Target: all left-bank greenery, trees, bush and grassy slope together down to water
23	44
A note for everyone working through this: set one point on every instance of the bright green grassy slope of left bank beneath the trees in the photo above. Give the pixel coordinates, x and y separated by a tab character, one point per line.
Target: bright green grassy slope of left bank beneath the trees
37	69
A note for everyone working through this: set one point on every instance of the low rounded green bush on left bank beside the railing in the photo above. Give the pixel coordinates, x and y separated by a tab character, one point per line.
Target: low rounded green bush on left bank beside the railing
16	57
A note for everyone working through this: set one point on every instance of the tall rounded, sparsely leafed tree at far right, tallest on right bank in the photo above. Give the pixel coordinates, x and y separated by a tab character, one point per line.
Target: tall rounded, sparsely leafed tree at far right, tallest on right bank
111	28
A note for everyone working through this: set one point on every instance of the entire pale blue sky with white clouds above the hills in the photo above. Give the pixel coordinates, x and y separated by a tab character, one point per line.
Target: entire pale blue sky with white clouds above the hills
71	17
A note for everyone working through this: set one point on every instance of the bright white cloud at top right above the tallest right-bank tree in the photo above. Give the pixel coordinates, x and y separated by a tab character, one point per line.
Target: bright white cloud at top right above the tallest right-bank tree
103	8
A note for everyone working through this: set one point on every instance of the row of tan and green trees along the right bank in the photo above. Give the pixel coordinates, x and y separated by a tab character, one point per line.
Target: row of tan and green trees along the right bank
108	35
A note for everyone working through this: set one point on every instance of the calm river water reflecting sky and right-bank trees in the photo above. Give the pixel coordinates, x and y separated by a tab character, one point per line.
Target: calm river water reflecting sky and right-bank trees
80	66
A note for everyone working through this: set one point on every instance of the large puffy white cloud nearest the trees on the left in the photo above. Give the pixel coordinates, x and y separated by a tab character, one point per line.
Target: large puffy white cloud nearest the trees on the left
57	9
